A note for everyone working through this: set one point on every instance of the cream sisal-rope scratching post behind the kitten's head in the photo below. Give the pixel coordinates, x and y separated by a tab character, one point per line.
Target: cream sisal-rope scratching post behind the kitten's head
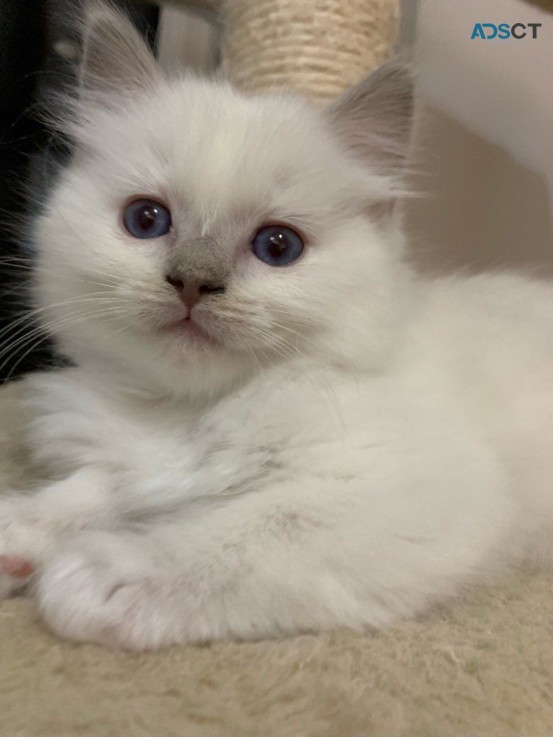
317	47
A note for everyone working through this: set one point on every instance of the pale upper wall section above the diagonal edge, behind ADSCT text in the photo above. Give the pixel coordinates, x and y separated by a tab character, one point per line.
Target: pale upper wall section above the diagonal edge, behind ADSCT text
502	89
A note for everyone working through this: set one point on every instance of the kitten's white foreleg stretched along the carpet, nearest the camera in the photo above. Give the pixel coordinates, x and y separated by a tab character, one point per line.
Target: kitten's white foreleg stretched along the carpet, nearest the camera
278	562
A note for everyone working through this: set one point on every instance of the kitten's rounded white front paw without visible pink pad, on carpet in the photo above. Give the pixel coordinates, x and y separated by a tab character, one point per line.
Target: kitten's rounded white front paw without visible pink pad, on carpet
99	588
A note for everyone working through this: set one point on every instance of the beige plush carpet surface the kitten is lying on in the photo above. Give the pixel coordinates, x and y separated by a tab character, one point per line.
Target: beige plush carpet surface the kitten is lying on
482	667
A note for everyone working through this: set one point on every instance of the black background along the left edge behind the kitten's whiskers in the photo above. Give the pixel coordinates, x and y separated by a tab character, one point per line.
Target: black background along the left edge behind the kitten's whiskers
29	156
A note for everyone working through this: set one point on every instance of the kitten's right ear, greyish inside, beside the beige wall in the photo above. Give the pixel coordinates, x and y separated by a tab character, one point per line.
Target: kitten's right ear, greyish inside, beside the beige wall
374	117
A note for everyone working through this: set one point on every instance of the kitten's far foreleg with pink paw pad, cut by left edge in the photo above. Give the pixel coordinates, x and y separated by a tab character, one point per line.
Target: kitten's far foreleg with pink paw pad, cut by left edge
30	524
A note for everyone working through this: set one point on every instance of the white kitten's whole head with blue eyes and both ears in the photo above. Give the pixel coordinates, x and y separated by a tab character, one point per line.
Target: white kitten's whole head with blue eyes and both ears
199	233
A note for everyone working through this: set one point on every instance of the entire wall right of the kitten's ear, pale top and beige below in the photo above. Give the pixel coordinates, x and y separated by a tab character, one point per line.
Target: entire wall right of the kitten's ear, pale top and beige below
487	140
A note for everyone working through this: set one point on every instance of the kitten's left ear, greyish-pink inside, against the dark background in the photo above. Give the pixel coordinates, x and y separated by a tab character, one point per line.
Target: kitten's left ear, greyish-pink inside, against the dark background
115	57
